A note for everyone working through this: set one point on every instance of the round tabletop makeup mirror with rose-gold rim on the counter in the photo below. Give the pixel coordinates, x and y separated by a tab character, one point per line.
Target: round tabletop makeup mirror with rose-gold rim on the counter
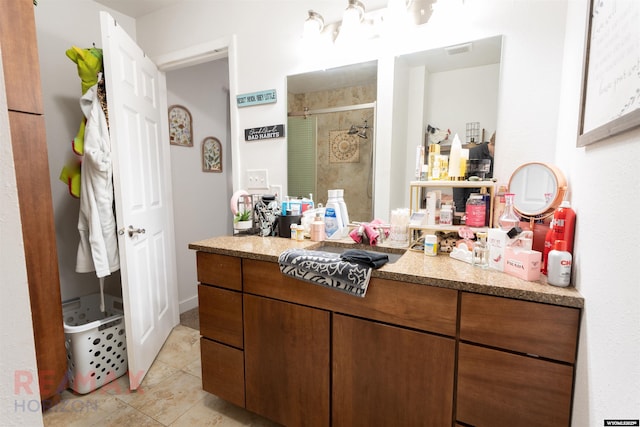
539	189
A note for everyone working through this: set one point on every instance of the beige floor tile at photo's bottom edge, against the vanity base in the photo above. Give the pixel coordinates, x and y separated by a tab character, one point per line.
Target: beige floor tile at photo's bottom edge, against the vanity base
213	411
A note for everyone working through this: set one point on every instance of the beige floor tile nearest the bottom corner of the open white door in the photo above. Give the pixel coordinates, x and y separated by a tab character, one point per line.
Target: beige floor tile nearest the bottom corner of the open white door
171	398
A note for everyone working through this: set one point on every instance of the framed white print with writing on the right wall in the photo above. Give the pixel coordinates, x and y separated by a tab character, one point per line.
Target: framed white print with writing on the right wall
610	100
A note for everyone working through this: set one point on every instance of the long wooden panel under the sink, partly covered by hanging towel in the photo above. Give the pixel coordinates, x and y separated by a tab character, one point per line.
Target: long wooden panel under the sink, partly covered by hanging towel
416	306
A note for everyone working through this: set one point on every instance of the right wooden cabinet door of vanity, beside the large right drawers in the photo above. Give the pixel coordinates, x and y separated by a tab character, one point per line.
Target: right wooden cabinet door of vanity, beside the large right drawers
384	375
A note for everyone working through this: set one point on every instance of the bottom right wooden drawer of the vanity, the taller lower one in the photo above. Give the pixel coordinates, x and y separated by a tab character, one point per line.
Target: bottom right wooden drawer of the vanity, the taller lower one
497	388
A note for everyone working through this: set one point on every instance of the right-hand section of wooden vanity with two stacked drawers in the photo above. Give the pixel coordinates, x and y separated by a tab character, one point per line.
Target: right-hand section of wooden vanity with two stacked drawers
515	362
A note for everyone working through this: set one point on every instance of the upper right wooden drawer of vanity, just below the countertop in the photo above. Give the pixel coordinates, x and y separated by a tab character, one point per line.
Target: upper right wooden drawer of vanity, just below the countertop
545	330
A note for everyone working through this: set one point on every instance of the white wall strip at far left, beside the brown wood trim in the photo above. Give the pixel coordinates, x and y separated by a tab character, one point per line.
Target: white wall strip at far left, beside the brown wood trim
18	357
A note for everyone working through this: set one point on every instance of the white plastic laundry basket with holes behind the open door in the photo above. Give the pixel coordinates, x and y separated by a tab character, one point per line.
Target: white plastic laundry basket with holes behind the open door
95	342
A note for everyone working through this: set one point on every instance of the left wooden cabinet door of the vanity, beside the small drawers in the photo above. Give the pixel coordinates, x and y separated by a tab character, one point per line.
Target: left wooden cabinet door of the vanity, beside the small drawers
287	361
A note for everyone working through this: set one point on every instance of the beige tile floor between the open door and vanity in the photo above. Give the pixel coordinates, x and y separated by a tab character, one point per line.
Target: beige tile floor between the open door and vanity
170	395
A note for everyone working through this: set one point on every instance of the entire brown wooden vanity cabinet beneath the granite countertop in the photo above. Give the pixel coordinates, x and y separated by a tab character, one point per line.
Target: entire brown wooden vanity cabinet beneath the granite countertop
407	354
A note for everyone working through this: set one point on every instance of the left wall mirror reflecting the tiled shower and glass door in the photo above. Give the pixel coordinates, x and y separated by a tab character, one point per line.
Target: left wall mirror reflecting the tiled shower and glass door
331	135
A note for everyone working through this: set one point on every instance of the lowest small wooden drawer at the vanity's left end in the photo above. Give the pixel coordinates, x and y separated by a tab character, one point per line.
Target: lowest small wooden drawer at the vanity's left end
222	371
